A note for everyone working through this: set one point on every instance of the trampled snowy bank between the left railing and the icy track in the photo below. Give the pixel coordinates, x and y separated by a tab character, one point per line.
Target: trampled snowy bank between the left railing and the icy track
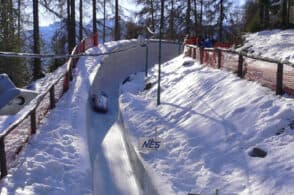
56	160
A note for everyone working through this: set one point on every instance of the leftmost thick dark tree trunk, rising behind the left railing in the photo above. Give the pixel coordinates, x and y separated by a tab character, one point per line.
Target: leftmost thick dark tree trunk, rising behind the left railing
37	70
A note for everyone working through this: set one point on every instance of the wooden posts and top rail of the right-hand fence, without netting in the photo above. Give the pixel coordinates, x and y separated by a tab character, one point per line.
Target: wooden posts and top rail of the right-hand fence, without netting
241	54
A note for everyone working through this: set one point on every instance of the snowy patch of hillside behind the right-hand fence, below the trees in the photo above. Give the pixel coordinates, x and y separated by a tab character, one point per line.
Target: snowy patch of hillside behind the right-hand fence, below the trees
276	44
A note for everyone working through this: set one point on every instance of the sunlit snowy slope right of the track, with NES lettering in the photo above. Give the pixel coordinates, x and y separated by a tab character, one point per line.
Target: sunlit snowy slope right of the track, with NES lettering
209	120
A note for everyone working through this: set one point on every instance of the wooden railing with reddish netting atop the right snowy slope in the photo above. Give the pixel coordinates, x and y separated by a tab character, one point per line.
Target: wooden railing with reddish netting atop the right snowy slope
275	74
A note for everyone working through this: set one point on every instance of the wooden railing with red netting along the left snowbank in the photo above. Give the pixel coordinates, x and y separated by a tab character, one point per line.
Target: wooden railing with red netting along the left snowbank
28	122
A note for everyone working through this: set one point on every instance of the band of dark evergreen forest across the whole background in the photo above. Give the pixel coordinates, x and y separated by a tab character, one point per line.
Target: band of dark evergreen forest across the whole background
221	19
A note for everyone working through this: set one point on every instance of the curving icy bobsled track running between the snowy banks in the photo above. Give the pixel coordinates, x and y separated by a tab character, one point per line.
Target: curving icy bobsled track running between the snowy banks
116	167
